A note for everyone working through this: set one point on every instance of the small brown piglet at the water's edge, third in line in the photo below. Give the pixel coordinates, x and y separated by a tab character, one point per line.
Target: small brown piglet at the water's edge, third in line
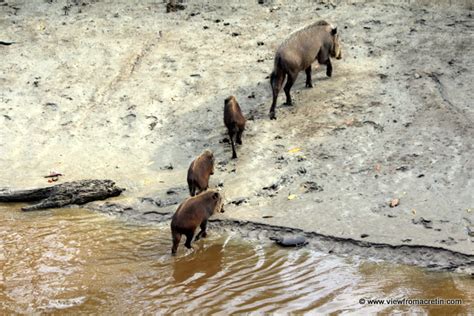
199	172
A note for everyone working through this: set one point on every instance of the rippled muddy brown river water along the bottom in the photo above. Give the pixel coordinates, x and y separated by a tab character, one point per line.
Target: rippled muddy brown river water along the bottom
78	261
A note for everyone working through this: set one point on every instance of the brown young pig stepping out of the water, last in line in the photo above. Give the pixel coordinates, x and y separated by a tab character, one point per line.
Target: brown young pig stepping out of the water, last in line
194	212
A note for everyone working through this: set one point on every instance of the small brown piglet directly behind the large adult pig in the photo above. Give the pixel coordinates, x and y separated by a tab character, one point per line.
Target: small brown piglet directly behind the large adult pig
234	120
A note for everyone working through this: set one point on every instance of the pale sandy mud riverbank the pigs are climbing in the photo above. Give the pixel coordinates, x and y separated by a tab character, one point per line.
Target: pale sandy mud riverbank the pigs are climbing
127	92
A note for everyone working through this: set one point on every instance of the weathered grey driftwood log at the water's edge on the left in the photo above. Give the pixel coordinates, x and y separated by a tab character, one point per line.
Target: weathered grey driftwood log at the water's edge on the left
60	195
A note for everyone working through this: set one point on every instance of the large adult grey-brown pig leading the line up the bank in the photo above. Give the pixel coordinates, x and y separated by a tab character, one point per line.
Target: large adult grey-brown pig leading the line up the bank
318	41
